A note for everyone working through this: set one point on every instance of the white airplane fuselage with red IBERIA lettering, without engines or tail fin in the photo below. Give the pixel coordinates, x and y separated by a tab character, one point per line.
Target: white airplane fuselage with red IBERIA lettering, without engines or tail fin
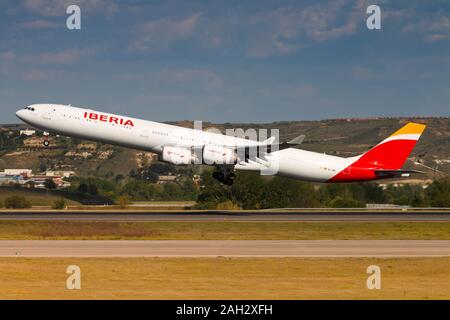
154	136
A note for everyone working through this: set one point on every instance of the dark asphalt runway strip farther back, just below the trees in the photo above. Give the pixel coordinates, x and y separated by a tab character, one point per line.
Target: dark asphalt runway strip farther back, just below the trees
226	216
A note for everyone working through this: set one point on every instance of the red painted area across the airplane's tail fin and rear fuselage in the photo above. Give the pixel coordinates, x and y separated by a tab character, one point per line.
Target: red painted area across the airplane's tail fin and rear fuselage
390	155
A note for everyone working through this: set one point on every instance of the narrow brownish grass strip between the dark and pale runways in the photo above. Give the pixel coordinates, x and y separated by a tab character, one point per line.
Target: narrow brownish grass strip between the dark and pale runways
63	230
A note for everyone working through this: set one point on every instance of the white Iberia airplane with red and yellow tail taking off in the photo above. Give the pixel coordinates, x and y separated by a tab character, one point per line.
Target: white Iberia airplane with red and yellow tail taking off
183	146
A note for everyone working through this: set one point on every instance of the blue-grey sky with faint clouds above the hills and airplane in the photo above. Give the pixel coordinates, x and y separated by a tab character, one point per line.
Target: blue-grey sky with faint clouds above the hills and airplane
227	61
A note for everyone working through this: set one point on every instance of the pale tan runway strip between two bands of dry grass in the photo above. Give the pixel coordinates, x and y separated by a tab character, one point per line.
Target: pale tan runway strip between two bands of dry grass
226	248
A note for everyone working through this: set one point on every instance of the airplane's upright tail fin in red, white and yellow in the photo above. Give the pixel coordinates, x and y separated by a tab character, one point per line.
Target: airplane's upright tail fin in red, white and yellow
392	152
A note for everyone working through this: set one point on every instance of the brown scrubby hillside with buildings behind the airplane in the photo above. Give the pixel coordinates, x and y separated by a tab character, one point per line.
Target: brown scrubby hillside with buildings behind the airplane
344	137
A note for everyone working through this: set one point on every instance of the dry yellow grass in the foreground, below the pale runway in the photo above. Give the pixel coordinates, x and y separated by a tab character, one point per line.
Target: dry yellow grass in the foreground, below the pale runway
225	278
